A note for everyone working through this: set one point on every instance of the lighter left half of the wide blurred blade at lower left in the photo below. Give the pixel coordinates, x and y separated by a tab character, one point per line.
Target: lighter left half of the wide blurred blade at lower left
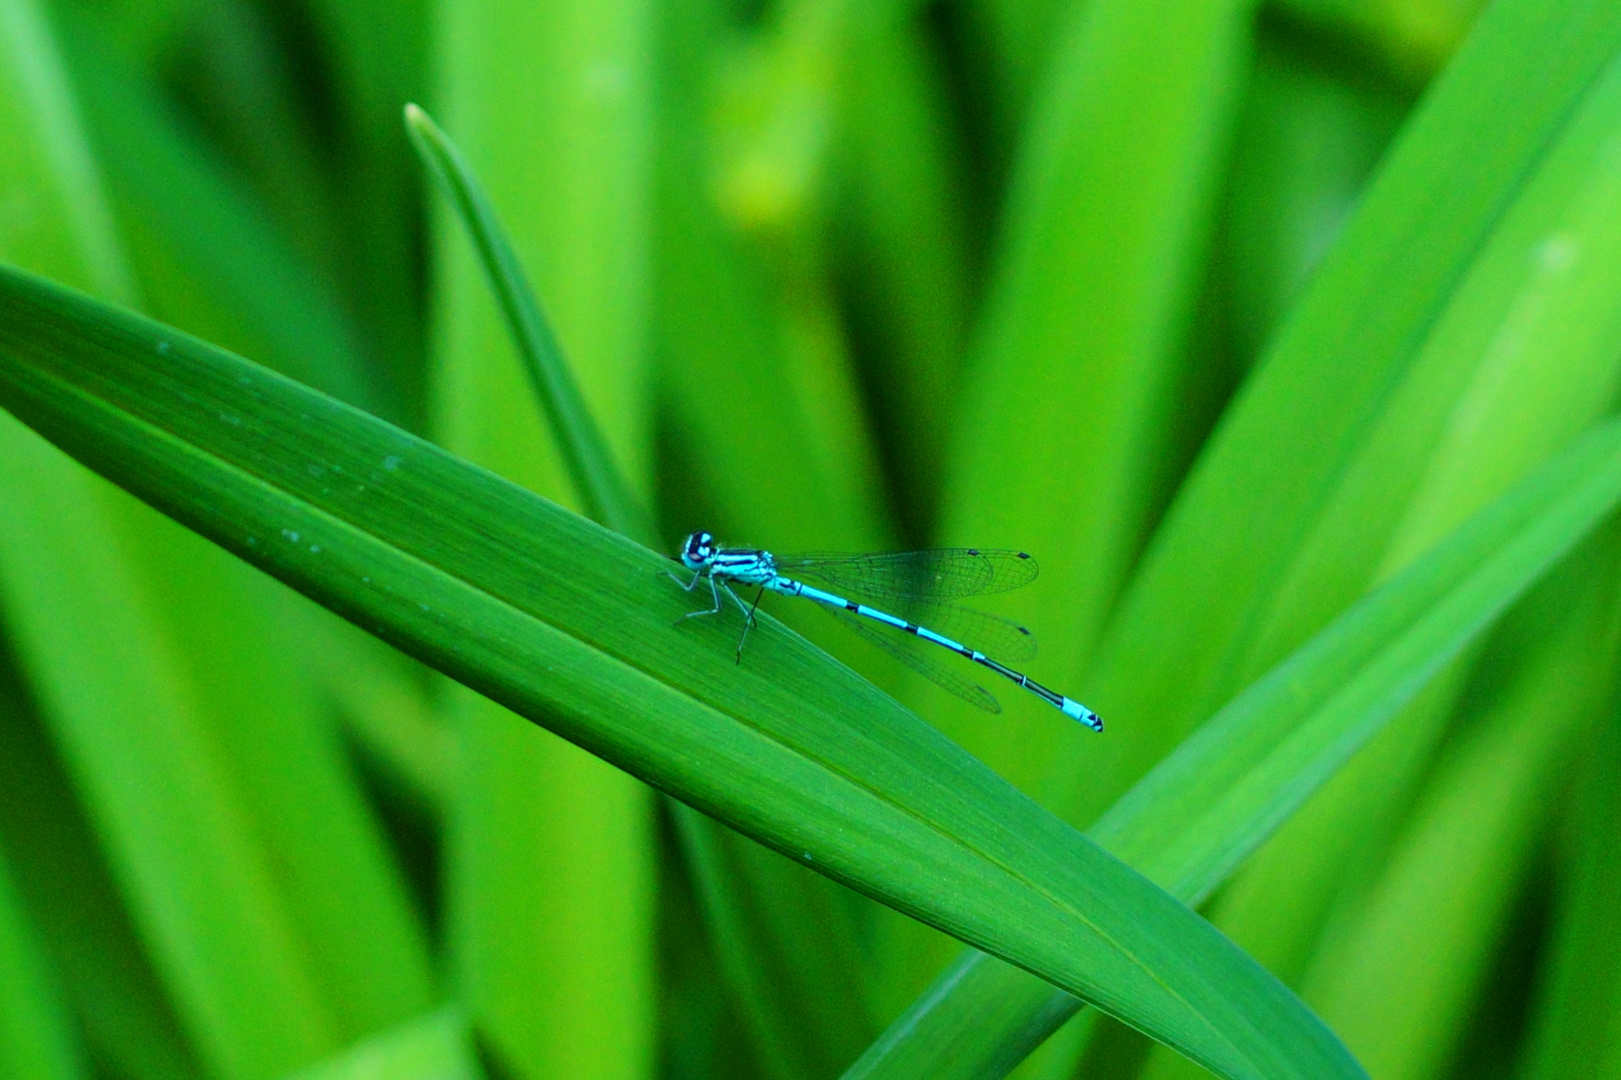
181	849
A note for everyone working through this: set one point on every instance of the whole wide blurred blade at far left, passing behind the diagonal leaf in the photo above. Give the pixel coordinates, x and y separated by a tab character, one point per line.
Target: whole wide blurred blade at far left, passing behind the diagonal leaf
216	784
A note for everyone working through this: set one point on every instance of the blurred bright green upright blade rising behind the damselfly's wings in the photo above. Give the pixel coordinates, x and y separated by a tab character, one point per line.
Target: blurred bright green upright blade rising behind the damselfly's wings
1074	384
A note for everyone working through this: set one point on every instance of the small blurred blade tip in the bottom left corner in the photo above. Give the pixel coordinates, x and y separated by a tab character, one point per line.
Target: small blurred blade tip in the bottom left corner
35	1035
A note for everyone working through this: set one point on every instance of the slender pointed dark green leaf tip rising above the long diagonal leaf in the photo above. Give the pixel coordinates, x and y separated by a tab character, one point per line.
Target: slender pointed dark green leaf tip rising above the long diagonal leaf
599	484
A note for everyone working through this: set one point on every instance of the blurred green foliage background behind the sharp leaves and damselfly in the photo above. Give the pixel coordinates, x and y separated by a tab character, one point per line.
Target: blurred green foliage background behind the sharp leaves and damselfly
1231	312
